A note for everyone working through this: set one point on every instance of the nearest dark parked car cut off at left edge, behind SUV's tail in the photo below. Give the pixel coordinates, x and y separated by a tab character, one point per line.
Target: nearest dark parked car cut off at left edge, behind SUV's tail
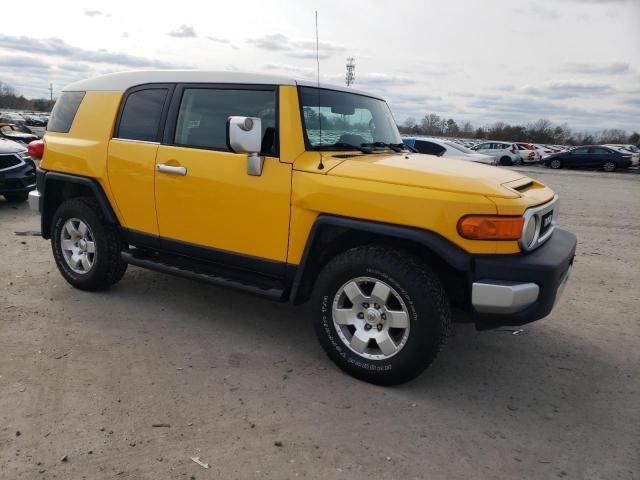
17	171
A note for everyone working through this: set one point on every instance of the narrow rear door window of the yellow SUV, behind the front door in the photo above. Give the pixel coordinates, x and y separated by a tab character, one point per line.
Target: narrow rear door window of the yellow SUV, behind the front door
141	114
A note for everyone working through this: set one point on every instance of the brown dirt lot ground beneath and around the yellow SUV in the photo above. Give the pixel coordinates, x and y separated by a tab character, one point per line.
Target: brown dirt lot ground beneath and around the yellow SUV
86	376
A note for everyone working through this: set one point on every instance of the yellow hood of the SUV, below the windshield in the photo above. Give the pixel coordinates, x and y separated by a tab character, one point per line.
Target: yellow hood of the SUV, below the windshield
428	171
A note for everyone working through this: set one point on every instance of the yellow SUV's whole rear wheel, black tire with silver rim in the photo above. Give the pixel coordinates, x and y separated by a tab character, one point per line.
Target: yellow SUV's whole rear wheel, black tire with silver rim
85	247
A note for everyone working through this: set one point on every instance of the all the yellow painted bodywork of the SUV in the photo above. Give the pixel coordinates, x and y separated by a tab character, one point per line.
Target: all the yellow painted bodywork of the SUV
270	216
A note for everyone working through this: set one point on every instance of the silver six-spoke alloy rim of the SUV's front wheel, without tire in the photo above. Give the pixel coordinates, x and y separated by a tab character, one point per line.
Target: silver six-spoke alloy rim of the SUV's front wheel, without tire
371	318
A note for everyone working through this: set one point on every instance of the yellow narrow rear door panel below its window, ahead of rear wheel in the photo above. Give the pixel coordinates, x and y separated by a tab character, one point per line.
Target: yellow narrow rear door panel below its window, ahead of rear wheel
131	167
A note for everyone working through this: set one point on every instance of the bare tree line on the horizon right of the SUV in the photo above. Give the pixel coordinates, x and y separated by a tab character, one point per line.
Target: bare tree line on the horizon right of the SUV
540	131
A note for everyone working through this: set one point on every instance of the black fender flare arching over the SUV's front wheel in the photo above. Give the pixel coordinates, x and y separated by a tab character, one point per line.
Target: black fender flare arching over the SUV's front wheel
451	254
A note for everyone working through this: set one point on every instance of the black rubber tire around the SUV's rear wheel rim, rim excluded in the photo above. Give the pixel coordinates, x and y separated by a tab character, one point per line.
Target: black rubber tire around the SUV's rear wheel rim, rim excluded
108	267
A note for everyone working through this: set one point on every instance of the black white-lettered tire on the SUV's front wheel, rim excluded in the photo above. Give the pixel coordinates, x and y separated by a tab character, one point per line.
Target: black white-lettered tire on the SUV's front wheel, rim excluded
419	288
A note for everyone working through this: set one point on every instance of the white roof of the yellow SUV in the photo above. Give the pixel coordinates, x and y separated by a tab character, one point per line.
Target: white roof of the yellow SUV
121	81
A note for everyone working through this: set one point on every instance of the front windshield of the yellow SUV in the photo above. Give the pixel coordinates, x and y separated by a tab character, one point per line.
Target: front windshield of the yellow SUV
346	119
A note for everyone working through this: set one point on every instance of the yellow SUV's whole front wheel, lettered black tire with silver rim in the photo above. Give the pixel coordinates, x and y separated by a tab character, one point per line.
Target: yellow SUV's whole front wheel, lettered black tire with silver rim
380	314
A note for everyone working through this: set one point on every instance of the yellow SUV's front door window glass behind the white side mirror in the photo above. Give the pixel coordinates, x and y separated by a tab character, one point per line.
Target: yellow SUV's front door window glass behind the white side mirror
203	114
